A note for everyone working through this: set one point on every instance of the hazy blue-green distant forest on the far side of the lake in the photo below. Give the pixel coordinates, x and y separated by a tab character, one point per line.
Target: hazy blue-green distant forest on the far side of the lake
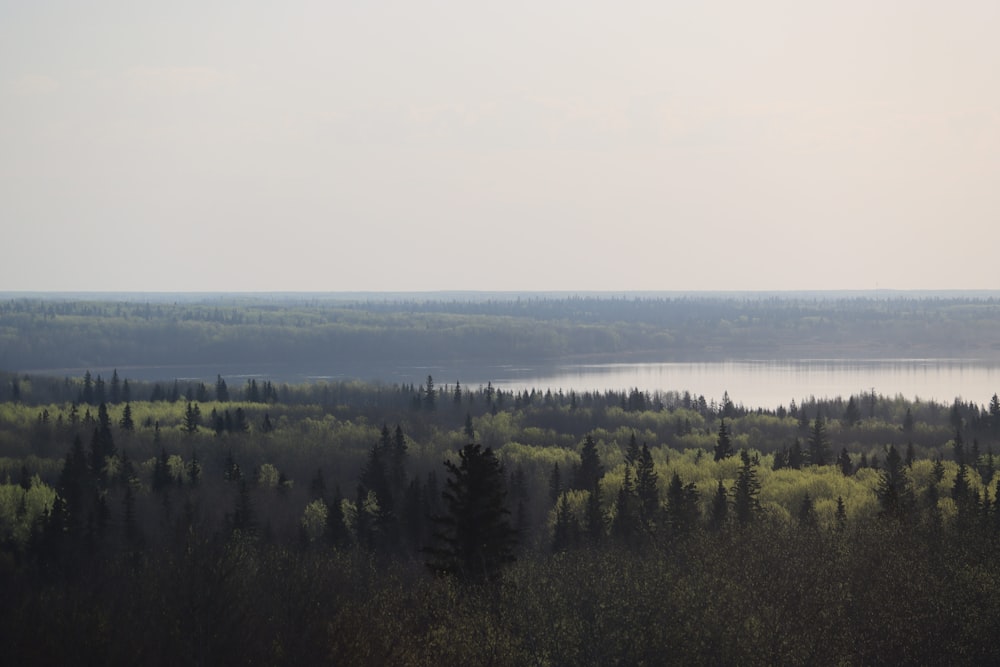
289	332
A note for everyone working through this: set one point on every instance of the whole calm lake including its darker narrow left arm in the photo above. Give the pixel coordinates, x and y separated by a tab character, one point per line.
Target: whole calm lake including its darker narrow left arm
754	383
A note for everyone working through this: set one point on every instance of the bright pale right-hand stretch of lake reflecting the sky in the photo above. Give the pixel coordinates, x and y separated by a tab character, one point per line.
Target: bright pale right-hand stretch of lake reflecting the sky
773	383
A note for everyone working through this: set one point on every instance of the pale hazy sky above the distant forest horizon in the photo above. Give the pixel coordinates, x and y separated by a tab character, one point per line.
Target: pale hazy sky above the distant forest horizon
422	145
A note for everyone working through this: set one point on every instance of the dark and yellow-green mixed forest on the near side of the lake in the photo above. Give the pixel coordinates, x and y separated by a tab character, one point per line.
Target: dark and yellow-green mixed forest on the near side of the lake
191	522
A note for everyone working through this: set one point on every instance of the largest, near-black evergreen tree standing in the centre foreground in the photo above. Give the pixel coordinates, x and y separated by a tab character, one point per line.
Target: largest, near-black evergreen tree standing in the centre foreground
474	538
